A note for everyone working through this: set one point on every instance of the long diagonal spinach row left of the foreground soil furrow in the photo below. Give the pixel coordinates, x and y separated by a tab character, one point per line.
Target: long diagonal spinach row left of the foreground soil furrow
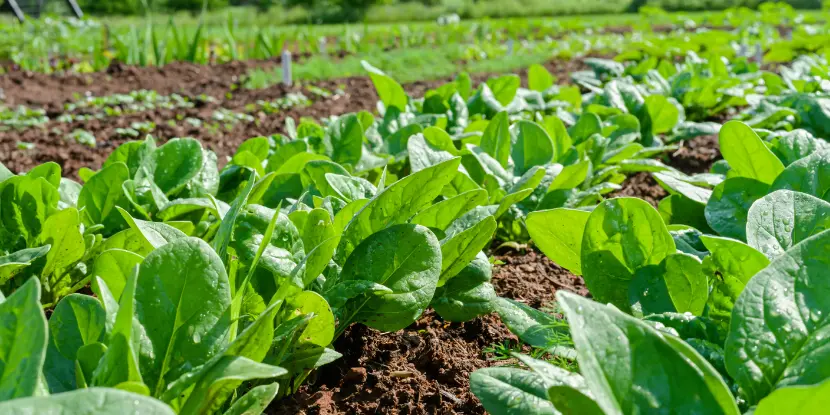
218	290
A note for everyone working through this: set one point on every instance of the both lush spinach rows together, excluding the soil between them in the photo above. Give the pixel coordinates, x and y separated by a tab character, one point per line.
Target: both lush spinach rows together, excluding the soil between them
219	290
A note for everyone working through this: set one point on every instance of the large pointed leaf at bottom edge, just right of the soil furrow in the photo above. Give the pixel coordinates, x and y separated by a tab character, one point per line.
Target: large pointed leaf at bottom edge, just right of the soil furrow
620	355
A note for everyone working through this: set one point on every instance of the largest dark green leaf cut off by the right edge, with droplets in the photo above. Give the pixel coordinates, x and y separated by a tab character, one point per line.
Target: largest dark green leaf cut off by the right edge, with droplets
778	335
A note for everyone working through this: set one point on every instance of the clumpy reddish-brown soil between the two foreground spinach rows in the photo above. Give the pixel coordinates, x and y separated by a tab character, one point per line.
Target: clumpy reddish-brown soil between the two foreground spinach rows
425	368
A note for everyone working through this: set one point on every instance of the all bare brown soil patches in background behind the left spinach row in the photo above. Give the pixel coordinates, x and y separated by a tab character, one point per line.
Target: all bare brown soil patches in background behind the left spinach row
218	81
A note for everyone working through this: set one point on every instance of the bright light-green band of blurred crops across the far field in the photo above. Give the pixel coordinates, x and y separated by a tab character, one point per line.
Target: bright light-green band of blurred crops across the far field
85	46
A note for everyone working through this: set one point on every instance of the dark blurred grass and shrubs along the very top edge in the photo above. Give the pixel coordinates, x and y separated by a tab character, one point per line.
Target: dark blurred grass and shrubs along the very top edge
372	11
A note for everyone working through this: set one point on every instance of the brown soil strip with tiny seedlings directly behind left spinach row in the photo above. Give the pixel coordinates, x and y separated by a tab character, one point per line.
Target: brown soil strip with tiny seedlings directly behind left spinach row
51	142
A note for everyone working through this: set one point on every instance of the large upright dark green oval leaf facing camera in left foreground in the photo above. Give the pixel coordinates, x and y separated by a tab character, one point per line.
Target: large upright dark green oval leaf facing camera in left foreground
182	301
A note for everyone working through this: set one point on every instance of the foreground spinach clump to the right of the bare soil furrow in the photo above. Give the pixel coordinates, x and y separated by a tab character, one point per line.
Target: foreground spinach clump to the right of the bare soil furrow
715	300
